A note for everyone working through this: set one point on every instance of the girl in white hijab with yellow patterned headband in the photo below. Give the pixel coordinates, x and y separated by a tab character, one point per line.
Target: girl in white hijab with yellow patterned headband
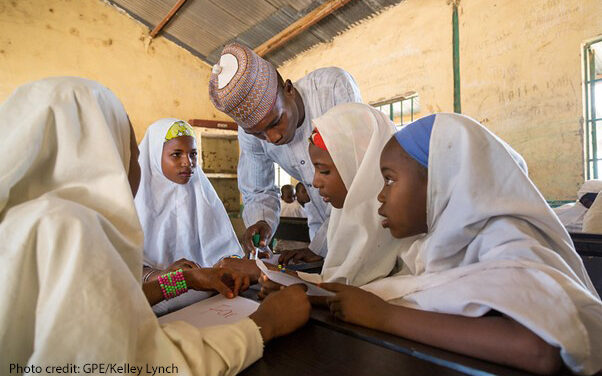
184	222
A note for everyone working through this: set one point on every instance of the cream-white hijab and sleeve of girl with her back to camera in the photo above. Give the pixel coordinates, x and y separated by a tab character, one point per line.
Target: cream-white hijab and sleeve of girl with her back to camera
71	246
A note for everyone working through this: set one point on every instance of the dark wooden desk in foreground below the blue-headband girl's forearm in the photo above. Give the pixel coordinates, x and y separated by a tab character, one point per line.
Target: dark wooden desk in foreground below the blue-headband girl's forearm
326	346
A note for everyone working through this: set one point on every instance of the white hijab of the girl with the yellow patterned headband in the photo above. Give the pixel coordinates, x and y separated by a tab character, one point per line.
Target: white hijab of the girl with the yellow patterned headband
179	220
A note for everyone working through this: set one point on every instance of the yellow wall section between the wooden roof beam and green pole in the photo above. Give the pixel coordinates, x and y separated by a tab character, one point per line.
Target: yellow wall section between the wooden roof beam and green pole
402	49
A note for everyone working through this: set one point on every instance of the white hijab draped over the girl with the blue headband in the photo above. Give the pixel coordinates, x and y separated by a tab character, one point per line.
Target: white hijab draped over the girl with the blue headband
493	243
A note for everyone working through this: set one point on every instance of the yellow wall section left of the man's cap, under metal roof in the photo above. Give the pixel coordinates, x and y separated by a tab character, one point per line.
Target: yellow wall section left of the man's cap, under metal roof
92	39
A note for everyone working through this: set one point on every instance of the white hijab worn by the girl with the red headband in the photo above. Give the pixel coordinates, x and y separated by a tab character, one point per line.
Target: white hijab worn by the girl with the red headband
359	249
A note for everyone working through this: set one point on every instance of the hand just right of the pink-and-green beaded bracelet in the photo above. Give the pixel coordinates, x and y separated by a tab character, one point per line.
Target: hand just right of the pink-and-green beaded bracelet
227	282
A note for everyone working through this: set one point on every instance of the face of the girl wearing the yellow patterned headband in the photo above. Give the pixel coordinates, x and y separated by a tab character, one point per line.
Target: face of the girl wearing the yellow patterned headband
178	160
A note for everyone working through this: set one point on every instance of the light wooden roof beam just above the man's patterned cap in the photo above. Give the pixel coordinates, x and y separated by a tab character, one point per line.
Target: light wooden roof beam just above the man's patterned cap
299	26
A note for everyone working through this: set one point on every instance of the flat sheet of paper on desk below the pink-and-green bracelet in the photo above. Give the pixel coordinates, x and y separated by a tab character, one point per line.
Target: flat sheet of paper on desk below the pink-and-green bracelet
217	310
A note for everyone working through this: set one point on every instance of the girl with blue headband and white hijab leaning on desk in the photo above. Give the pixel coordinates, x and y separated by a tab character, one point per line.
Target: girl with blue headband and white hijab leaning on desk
494	274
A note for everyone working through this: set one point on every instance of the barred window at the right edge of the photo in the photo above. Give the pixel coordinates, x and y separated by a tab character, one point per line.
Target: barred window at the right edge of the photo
592	60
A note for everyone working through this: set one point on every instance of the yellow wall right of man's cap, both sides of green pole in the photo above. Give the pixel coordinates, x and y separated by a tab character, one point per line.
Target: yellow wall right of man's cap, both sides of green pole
520	71
